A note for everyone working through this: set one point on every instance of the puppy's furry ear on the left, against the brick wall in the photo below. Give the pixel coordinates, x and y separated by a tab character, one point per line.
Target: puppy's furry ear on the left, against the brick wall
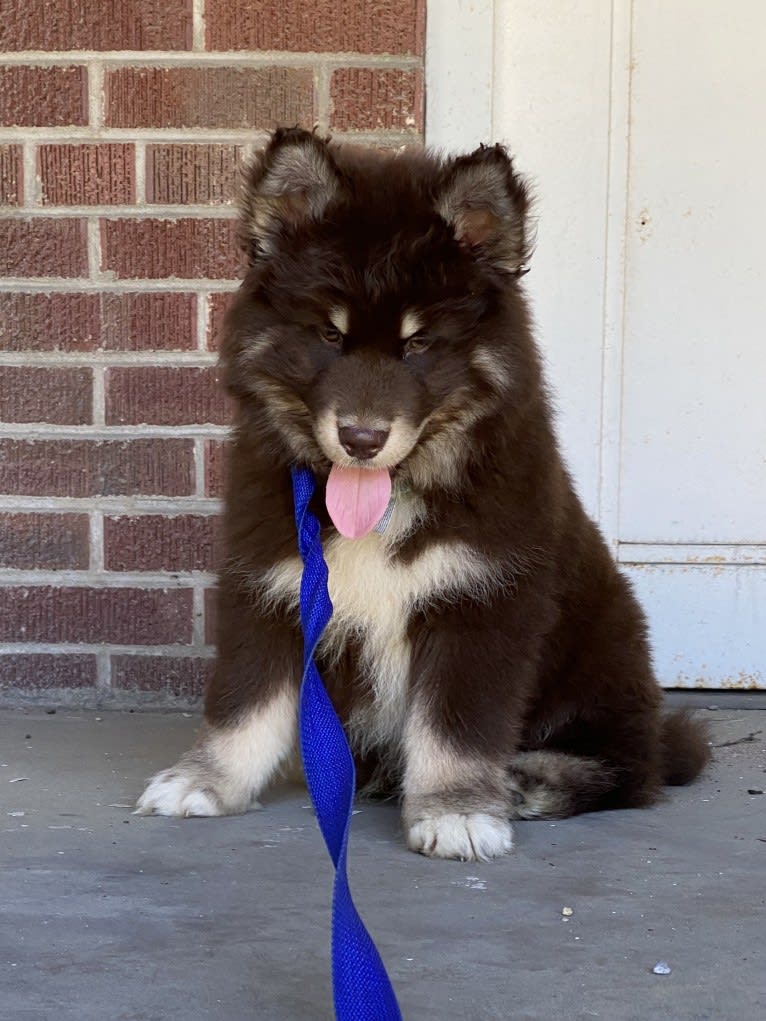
293	181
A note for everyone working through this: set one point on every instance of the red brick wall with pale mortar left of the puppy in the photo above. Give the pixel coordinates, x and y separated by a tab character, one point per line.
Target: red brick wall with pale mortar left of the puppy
122	125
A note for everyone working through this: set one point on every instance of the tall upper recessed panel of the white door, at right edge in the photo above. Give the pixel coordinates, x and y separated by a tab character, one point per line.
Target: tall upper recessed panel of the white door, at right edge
693	466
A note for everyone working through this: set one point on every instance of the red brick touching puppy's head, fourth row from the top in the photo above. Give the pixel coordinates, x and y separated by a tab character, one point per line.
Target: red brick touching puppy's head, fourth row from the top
158	249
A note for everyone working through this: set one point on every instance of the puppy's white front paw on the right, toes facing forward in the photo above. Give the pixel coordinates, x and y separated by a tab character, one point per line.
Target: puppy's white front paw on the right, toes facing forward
475	838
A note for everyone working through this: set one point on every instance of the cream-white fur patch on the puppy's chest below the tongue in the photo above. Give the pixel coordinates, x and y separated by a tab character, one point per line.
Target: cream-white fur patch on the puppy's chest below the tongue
373	599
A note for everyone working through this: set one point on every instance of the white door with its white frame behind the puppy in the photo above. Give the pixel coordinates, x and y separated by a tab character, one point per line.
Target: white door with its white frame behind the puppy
643	126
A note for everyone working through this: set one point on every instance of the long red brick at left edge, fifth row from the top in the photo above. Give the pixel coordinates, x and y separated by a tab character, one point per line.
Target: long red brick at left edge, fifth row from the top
124	322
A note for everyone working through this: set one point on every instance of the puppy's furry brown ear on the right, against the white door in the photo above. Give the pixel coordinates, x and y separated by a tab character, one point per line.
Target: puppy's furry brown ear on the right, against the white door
487	205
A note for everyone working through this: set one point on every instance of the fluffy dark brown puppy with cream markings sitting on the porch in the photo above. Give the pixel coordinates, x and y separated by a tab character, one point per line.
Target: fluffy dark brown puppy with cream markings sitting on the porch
488	658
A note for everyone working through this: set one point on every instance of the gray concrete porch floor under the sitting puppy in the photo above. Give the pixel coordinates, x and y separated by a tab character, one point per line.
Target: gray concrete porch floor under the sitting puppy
107	915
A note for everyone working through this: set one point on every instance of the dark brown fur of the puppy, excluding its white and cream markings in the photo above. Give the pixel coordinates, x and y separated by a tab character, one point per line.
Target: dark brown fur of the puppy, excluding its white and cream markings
547	670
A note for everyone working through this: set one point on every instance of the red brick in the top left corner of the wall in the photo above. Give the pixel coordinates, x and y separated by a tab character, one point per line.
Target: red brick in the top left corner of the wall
109	25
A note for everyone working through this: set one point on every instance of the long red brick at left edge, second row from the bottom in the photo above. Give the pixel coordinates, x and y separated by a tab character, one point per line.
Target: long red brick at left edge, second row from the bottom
117	616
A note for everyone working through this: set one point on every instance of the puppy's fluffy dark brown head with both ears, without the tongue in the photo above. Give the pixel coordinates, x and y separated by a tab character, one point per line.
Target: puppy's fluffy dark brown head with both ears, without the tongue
366	331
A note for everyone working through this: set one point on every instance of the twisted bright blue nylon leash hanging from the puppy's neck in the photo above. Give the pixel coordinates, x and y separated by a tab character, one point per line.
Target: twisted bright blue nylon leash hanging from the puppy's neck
362	990
